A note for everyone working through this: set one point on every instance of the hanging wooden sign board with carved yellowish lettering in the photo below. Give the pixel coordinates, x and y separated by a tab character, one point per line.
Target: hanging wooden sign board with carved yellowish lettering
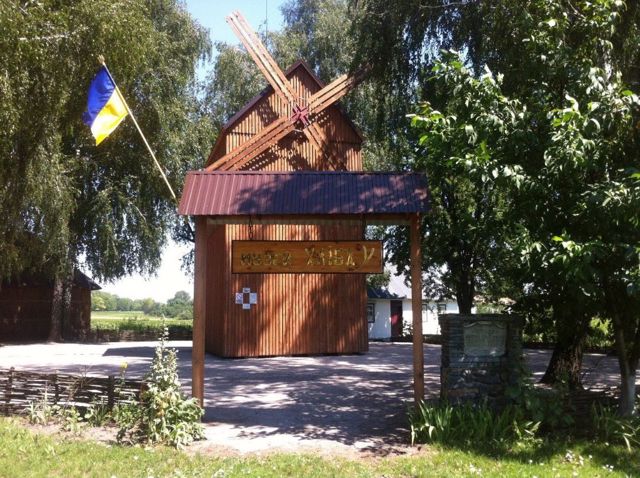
313	257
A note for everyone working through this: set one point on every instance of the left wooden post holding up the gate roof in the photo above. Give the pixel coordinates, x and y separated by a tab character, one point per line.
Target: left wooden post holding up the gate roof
199	310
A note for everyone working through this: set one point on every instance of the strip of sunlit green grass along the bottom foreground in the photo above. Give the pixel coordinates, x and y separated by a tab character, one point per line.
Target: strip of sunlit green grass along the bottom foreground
24	453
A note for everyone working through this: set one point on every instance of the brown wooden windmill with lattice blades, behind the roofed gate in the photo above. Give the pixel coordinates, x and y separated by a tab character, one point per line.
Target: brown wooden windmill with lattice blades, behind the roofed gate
296	314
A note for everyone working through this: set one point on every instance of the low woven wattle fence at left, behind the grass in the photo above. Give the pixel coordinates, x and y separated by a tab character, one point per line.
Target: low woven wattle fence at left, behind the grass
18	389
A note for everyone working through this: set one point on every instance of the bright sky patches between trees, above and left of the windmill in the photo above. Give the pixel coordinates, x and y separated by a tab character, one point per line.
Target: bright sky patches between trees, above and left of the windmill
211	14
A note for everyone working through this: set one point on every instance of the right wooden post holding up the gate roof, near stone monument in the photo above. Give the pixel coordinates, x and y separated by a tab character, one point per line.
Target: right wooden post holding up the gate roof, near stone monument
416	308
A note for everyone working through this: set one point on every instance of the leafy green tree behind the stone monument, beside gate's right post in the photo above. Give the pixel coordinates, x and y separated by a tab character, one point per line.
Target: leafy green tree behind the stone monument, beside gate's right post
462	144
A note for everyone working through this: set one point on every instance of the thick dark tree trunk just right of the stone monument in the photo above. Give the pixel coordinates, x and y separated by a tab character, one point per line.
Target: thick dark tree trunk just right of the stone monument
566	360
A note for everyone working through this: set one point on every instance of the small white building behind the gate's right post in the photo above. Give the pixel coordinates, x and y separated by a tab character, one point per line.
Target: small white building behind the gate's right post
389	311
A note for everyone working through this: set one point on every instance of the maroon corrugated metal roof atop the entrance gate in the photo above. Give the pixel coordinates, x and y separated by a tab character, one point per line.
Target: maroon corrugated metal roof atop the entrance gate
246	193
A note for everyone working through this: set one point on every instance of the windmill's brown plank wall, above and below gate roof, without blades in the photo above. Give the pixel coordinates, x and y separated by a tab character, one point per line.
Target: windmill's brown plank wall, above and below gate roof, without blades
296	313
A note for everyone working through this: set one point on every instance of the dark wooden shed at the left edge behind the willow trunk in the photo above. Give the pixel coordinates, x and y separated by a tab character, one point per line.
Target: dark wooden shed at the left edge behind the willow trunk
25	309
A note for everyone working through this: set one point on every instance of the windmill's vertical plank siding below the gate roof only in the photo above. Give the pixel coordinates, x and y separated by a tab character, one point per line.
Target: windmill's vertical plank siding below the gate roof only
296	313
